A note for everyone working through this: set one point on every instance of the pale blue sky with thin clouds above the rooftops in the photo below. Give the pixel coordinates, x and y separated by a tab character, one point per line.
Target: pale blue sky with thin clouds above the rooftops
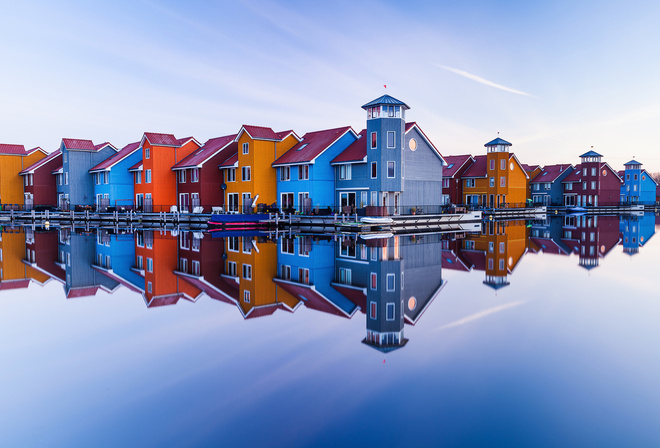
553	78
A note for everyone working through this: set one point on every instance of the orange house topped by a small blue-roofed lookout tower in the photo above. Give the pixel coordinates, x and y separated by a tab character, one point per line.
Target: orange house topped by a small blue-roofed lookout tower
496	179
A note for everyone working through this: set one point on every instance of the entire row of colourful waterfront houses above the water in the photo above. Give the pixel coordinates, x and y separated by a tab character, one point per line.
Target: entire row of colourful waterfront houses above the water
390	167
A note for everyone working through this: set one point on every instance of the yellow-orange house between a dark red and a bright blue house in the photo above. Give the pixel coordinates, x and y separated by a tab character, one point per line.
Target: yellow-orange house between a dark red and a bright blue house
248	176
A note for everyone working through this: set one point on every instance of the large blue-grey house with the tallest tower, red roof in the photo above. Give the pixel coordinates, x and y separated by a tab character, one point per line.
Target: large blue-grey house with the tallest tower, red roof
392	168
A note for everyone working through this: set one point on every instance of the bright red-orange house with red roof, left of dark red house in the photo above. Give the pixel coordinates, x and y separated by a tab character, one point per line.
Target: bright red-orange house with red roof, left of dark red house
153	179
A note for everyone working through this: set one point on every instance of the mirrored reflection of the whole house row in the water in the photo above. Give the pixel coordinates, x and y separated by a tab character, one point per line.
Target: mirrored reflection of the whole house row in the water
391	281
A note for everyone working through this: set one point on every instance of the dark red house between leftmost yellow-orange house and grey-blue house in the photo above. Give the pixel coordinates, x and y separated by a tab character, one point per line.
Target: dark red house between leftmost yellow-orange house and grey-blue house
39	184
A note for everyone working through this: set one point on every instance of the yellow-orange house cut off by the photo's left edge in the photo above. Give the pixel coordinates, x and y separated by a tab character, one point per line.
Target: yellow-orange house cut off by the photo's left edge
13	159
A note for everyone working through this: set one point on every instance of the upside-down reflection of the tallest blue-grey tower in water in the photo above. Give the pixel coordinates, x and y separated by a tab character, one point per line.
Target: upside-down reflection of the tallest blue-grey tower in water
385	312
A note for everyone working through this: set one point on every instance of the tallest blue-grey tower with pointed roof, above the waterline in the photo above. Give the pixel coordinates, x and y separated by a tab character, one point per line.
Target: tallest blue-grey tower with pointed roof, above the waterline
385	138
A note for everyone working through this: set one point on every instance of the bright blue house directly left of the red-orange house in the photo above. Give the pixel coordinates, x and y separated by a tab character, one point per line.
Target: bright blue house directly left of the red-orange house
113	183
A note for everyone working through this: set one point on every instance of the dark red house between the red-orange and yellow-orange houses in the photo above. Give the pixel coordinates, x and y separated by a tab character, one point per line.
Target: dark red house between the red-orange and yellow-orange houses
199	183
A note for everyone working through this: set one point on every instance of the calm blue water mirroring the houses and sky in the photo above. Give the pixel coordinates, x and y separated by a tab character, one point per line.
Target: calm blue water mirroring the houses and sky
529	334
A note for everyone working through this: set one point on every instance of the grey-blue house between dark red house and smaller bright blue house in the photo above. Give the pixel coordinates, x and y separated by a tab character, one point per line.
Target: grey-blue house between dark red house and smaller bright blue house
75	187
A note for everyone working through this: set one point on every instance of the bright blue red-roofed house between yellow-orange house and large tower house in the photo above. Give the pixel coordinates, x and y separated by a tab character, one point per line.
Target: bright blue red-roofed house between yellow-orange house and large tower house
305	179
